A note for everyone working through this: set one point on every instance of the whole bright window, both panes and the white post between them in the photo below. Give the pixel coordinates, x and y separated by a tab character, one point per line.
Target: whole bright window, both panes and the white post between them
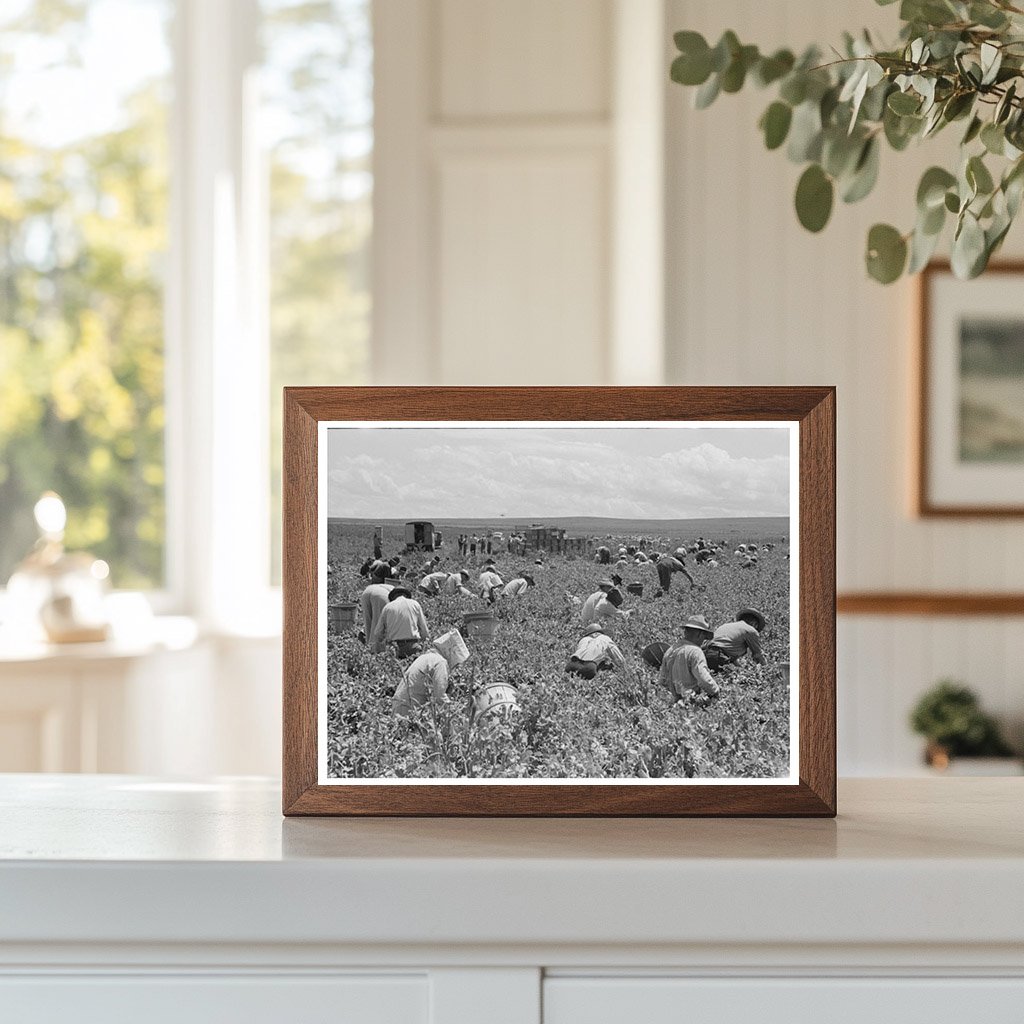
167	265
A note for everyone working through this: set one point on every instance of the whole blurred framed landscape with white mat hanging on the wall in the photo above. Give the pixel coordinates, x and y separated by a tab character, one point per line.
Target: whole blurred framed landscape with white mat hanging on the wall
971	394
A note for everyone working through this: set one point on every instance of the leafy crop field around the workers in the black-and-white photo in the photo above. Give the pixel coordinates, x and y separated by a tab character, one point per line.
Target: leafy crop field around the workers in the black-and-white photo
619	726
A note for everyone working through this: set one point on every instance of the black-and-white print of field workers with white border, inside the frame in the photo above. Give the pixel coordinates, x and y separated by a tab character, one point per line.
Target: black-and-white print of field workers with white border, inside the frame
576	603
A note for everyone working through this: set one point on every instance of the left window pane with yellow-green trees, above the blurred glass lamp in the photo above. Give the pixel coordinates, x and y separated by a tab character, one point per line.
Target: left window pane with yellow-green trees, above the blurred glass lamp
83	236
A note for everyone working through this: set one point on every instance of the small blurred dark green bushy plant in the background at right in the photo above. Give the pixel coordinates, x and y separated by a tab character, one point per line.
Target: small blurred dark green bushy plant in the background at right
950	717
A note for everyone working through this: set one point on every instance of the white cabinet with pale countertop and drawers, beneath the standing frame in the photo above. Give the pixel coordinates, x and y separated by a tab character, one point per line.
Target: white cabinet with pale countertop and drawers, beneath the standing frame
130	900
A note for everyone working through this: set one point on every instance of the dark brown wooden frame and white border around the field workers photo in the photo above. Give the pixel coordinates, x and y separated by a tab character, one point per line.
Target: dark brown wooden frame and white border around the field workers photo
809	413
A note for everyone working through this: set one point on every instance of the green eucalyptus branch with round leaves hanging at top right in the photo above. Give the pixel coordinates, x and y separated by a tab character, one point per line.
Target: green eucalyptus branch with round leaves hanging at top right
956	63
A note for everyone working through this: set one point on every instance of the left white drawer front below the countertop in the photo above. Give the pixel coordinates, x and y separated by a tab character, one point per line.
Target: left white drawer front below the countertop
220	1000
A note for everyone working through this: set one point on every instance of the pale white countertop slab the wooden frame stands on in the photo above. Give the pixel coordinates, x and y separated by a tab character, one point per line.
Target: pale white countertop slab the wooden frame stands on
125	860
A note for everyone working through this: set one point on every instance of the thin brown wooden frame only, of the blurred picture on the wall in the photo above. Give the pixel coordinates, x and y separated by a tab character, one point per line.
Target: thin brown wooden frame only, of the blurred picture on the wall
925	506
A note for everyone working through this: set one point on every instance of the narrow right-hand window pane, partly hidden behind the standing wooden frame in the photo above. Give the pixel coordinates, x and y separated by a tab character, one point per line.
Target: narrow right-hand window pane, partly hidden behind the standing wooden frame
318	129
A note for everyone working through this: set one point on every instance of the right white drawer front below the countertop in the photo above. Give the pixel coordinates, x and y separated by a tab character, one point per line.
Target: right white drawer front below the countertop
825	1001
